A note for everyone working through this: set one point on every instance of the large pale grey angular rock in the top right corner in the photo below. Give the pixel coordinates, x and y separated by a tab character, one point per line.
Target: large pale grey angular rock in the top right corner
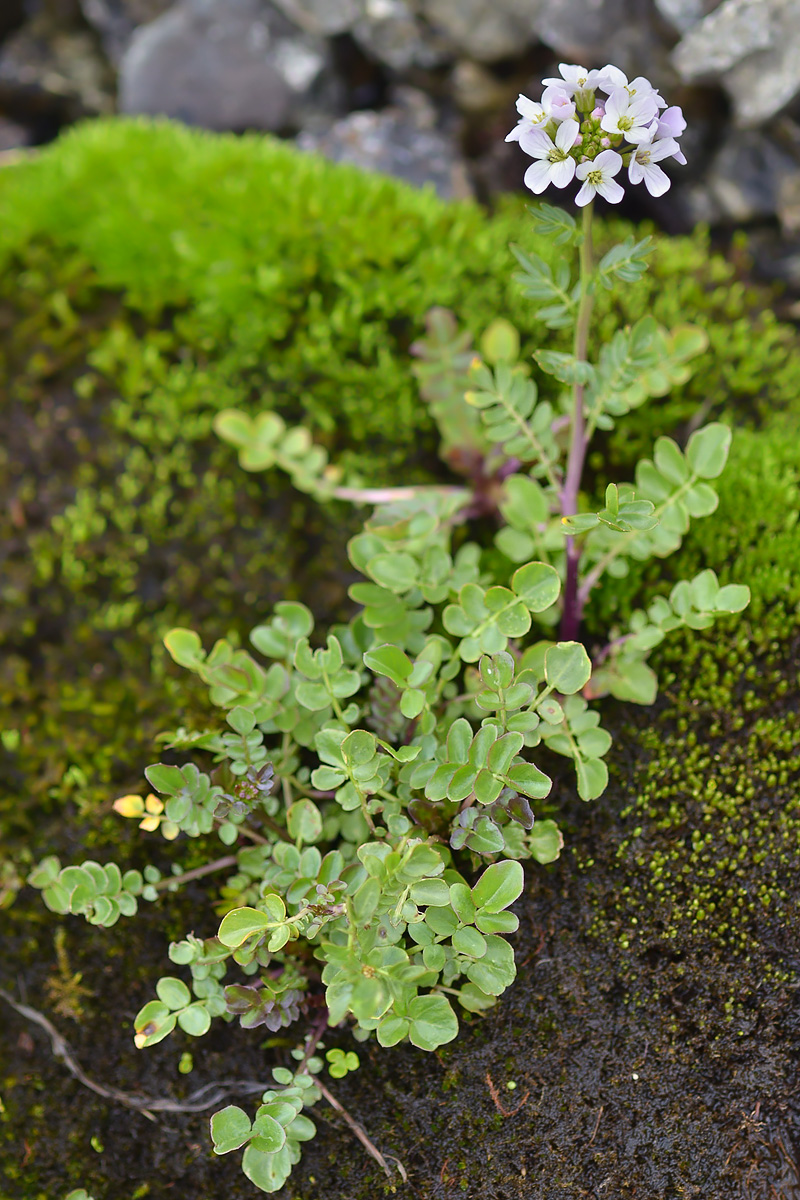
754	47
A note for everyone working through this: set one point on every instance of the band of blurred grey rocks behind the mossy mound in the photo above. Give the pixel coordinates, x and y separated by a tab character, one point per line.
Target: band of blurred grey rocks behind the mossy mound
426	89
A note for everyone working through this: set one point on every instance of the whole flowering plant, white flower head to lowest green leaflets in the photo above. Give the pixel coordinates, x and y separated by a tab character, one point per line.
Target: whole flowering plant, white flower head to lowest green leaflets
376	784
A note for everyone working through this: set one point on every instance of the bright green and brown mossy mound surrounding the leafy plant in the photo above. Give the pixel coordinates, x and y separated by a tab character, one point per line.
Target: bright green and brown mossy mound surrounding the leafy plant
152	277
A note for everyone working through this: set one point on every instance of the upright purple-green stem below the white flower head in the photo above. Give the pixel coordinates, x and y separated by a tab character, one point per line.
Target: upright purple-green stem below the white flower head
579	442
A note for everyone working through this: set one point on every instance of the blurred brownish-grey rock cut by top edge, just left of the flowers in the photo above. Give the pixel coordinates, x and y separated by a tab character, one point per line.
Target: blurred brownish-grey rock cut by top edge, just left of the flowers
488	31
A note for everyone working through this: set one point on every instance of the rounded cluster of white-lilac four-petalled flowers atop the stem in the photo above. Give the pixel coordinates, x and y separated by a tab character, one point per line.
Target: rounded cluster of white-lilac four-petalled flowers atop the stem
575	134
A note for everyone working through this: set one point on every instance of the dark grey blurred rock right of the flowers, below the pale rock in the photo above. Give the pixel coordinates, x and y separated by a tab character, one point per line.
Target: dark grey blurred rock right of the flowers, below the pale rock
749	181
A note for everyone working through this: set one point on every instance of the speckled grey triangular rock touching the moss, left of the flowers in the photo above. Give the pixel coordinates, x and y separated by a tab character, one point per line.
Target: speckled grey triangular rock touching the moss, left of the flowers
400	141
